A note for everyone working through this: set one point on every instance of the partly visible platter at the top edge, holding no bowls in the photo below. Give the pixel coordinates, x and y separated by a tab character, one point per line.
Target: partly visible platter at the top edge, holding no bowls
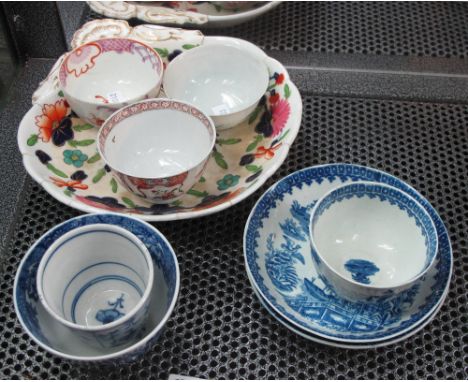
195	13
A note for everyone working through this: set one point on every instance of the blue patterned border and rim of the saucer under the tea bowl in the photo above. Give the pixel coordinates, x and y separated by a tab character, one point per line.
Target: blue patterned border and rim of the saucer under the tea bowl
343	172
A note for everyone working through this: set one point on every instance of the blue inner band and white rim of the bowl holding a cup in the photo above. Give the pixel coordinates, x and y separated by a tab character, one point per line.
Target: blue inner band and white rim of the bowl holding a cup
164	257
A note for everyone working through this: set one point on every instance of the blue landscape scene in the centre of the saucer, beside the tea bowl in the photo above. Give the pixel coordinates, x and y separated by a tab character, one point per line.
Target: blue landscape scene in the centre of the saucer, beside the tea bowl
317	298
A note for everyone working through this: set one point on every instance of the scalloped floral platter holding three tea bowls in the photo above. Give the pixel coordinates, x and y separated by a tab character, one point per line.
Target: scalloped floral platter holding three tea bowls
59	150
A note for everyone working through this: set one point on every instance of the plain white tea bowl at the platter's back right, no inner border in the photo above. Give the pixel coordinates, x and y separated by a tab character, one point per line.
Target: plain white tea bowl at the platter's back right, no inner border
224	81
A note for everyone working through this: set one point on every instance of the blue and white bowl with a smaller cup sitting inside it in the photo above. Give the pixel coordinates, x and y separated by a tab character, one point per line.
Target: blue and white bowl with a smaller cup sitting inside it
53	337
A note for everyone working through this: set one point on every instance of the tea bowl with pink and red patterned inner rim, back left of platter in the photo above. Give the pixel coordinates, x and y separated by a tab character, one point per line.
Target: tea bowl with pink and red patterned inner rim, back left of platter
102	76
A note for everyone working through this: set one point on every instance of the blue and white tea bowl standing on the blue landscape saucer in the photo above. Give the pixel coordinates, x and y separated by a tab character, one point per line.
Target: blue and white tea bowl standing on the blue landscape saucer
371	240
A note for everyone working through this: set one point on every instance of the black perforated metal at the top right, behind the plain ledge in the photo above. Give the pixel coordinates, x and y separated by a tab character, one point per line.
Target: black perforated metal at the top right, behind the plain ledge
379	28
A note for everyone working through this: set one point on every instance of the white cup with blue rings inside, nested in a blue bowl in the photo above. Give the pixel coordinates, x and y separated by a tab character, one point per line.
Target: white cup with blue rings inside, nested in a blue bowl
96	281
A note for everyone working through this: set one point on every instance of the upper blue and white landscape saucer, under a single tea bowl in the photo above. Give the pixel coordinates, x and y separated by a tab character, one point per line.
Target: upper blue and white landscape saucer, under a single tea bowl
279	262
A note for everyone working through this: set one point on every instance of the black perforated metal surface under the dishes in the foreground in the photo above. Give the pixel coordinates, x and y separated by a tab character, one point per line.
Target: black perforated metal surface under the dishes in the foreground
219	329
